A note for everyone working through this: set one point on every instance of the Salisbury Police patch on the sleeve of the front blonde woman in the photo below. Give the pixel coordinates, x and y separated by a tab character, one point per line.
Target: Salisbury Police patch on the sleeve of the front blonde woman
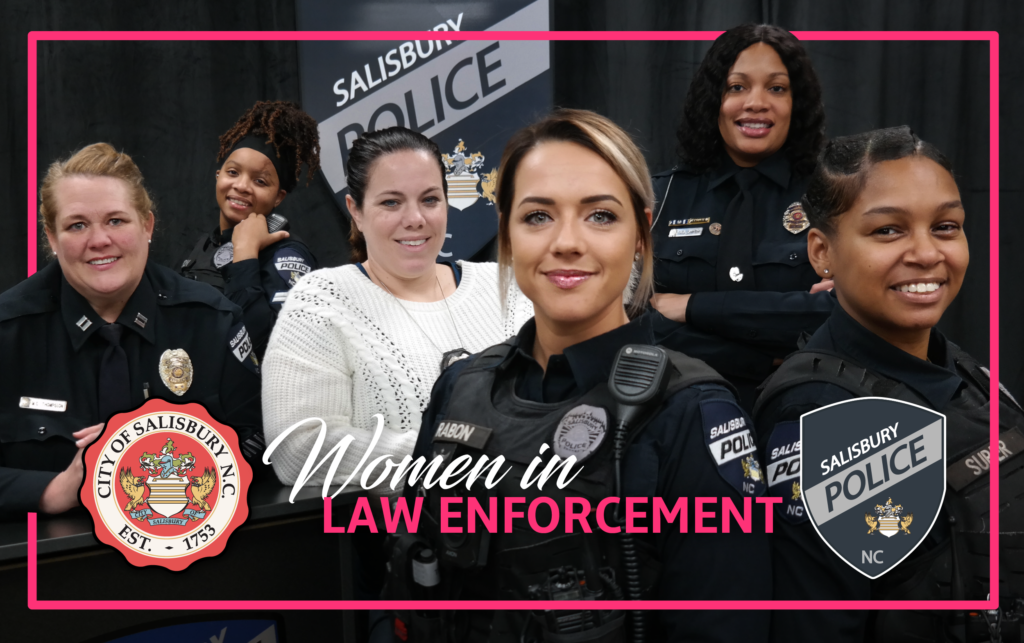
729	437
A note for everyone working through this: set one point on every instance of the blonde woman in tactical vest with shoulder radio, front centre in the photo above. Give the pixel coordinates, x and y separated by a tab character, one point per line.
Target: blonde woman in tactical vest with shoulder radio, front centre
575	201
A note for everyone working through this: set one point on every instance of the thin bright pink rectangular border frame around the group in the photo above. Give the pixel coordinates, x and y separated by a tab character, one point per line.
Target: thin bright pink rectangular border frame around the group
992	37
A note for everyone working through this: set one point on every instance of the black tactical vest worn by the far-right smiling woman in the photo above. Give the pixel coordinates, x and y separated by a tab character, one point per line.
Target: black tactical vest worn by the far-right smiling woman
954	562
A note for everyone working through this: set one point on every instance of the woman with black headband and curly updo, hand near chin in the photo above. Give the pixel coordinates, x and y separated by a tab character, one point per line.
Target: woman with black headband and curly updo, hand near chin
263	157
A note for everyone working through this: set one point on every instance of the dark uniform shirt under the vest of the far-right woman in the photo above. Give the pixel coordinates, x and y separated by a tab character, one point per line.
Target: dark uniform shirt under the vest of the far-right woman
804	568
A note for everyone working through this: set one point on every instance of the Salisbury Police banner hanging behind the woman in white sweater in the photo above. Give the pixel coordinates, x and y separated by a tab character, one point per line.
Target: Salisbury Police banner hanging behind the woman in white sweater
468	97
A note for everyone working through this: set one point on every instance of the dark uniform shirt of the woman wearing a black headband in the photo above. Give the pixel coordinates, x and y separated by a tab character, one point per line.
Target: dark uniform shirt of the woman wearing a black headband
259	286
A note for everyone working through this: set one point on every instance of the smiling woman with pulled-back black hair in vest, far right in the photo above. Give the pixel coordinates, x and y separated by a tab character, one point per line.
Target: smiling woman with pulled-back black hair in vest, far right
887	226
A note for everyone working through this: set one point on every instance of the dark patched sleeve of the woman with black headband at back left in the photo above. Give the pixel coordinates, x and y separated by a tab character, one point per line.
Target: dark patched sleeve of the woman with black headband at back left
260	287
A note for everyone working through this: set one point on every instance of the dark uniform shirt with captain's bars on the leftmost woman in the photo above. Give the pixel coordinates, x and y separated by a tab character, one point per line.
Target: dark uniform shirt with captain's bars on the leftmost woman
53	351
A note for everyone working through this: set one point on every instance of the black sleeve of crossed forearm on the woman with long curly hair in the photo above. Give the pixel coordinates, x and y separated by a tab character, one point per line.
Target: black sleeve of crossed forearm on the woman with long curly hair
771	322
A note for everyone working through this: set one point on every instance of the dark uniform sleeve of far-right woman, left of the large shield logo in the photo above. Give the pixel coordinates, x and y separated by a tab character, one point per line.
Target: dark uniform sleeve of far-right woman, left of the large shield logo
804	568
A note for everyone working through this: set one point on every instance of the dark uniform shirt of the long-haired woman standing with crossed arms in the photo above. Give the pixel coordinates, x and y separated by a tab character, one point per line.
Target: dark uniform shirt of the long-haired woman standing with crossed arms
738	333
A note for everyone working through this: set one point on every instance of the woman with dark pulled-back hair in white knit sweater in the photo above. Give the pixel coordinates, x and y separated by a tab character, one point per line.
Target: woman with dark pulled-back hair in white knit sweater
369	337
